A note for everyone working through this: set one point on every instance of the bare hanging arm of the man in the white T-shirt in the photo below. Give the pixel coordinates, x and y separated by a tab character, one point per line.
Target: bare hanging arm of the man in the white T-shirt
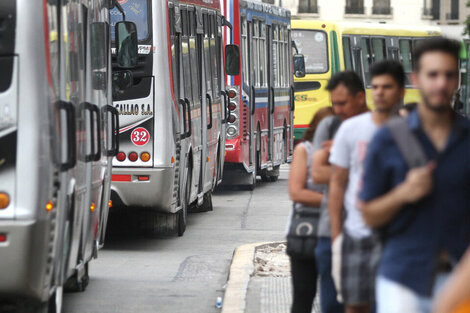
338	183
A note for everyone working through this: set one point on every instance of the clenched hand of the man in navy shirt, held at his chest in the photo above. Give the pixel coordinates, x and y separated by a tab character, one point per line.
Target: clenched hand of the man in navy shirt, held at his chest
418	183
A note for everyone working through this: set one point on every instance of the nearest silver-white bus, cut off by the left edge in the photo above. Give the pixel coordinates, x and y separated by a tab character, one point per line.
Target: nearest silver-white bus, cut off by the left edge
58	133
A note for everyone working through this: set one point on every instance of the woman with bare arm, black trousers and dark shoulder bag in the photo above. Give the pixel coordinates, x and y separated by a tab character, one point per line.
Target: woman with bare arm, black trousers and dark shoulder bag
307	197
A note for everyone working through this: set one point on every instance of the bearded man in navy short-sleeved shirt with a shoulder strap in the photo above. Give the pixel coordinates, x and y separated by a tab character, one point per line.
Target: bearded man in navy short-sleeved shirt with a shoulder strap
423	212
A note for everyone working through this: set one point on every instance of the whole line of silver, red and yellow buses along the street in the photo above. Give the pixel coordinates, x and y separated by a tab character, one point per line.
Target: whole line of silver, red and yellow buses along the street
147	106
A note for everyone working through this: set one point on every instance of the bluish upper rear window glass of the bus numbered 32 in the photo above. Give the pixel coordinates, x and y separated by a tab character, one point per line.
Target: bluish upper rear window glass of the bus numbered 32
137	11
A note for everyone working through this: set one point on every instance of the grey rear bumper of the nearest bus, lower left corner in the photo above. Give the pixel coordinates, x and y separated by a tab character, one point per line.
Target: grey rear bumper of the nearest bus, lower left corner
23	260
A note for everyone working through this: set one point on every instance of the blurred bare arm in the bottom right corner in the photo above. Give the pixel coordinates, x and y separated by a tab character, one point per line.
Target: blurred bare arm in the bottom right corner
457	289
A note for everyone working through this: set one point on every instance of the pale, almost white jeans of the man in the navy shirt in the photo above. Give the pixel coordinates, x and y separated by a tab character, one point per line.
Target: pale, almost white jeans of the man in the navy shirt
392	297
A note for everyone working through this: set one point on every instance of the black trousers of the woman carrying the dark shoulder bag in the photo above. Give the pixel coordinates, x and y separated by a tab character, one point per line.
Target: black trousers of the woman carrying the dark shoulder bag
304	281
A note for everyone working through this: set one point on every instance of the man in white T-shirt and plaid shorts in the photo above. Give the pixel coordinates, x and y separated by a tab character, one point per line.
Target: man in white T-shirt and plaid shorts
355	249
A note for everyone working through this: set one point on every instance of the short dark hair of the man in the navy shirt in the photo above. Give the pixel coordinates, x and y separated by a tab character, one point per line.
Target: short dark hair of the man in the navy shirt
436	44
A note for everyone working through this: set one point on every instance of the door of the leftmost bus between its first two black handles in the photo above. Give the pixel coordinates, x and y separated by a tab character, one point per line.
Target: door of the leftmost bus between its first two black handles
73	90
